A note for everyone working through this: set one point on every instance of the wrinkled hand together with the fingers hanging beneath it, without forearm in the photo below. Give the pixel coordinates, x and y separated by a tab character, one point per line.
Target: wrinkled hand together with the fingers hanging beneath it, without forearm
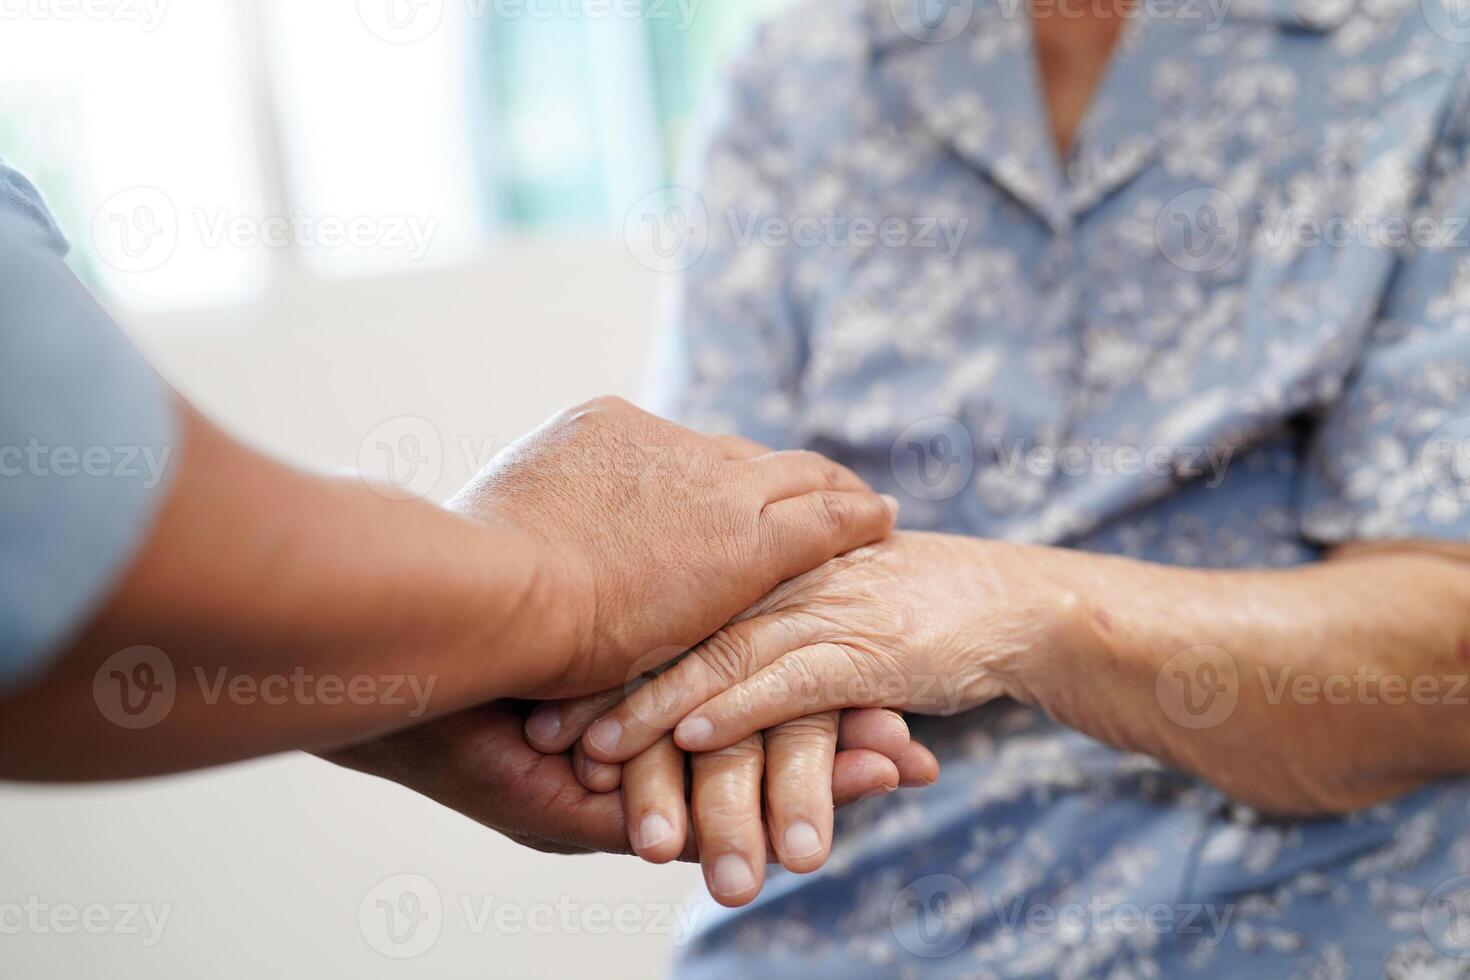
784	700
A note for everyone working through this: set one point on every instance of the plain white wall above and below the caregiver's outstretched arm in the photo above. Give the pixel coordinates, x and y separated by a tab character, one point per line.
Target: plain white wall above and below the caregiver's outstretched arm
264	866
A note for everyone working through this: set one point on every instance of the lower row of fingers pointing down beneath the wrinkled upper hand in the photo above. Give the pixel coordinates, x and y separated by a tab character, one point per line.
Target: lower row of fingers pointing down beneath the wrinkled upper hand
802	771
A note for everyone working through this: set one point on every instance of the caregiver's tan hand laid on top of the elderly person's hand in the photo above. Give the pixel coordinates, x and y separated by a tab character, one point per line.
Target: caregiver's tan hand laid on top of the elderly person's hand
652	537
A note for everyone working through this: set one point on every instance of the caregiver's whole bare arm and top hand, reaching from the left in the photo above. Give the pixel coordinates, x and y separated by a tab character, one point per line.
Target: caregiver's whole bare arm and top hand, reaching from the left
606	540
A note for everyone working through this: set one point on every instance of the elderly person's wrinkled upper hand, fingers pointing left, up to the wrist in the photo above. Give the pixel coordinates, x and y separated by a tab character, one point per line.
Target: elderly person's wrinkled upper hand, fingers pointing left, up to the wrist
928	624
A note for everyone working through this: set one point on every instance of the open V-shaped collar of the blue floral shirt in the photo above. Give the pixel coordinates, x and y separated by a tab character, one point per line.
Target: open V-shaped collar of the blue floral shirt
968	71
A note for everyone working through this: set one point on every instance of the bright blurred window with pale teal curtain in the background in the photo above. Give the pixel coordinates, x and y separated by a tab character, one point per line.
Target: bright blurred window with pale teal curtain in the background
199	152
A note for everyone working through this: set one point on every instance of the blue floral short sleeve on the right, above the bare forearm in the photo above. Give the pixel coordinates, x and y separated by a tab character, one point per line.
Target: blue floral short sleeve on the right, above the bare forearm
1391	458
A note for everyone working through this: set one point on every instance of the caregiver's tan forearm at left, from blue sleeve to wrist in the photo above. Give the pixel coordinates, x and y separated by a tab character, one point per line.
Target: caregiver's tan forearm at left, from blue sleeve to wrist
284	610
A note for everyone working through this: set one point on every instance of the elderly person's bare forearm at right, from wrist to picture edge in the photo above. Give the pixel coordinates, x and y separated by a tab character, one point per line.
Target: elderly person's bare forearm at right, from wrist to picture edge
1306	691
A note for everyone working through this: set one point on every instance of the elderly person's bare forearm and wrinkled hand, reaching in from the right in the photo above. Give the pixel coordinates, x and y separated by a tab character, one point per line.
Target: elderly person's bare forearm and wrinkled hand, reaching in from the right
1343	677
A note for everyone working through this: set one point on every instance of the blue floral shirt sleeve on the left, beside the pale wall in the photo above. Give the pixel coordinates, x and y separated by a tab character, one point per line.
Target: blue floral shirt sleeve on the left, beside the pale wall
730	355
